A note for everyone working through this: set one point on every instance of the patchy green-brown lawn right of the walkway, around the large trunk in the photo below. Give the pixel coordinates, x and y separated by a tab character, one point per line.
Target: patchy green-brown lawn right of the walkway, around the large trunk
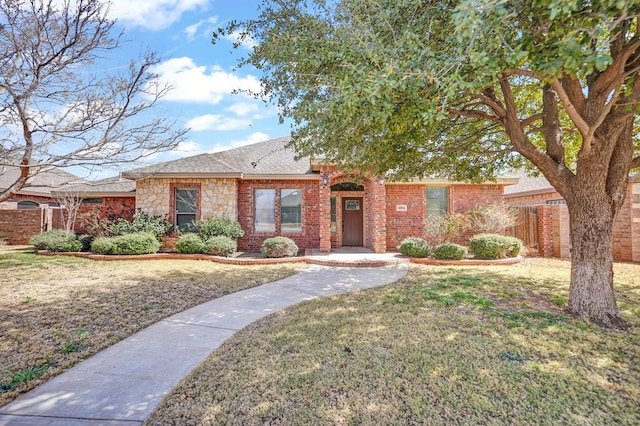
444	345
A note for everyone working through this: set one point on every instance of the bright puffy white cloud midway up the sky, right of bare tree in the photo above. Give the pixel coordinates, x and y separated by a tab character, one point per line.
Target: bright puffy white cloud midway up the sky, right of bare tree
202	84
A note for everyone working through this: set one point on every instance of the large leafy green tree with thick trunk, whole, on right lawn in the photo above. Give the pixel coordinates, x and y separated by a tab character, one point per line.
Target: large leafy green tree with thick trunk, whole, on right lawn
467	89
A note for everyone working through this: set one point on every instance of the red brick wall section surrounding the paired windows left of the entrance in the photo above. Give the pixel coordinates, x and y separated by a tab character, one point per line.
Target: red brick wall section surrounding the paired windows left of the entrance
309	237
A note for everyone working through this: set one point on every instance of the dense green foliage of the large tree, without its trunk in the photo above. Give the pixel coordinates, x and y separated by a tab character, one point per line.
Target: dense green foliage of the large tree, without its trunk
399	86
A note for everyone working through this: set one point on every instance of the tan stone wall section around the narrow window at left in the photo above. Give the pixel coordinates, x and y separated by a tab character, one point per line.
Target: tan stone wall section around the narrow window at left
217	196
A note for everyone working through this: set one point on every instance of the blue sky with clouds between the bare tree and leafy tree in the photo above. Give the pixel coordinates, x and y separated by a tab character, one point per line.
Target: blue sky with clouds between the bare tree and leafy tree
202	74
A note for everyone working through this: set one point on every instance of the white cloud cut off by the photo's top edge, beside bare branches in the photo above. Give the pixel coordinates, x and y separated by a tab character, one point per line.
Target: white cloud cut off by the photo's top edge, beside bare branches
153	15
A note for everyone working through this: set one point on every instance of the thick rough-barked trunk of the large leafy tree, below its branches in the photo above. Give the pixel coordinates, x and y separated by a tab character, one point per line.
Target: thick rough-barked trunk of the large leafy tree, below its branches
591	293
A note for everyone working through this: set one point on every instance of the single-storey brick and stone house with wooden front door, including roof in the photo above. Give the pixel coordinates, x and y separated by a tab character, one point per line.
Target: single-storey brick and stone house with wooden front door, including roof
270	193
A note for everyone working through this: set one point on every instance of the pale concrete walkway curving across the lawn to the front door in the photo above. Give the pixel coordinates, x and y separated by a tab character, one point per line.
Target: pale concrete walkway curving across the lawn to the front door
123	384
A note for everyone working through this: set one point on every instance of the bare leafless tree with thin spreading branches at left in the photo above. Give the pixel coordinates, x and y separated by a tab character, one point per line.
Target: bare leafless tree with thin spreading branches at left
63	101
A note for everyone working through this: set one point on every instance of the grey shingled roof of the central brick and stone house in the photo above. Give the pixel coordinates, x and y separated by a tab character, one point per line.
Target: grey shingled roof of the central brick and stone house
261	160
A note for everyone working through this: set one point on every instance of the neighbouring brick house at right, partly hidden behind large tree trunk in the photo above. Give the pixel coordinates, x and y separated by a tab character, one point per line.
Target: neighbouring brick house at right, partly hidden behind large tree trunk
553	218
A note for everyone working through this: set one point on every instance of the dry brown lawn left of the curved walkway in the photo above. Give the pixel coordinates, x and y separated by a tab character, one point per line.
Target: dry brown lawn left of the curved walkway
59	310
